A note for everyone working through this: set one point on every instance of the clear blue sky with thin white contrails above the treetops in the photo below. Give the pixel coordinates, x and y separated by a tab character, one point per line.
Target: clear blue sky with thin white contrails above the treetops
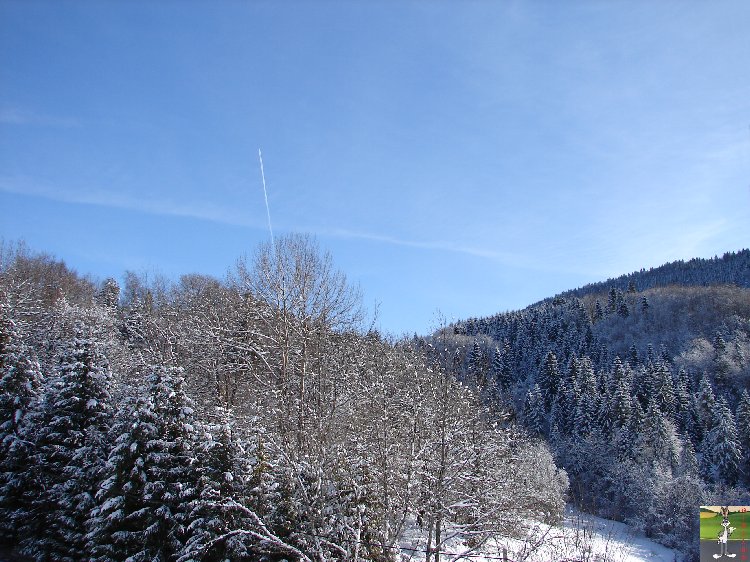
461	157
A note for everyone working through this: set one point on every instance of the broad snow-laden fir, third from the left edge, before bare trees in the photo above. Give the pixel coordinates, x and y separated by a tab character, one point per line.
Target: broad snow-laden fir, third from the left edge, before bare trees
150	479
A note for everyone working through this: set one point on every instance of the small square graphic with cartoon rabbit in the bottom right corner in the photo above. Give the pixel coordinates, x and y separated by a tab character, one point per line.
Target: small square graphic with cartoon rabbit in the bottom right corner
723	532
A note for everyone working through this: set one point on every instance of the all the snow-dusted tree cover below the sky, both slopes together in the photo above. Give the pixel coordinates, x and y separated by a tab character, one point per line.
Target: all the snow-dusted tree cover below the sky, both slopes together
259	417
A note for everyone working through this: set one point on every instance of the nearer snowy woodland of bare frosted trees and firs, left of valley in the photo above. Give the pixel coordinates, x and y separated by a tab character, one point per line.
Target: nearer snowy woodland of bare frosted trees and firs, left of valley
257	417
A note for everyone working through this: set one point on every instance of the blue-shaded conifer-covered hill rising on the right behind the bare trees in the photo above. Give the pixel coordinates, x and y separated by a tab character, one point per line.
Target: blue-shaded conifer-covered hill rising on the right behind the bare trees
639	385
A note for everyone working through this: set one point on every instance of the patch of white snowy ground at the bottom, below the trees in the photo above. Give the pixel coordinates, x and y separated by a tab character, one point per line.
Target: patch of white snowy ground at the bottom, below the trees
582	537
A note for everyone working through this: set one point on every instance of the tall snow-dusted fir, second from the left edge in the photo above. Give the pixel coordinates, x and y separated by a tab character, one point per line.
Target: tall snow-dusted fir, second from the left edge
70	450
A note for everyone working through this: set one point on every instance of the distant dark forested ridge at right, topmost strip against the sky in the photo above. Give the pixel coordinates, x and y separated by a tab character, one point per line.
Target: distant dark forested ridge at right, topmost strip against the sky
733	268
